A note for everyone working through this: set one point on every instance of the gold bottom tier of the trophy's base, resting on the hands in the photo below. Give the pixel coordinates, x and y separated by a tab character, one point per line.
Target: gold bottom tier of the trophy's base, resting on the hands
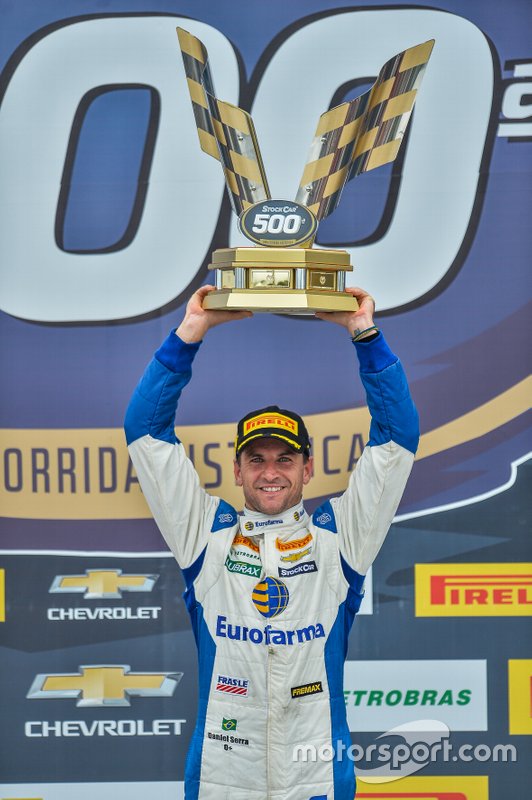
277	301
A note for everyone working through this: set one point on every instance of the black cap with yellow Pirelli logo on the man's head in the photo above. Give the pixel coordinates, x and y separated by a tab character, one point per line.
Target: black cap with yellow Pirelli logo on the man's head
275	422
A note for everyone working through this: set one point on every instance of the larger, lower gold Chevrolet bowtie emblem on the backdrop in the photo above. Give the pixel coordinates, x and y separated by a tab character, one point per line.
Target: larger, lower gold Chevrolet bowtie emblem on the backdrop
104	685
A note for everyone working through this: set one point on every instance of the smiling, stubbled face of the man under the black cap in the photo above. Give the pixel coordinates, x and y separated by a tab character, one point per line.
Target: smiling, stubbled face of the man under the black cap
272	476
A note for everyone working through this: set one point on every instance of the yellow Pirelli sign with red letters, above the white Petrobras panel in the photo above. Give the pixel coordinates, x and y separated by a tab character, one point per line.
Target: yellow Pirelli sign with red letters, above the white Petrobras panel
474	590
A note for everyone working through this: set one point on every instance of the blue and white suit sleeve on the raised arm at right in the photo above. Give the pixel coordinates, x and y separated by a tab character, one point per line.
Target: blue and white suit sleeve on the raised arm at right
365	511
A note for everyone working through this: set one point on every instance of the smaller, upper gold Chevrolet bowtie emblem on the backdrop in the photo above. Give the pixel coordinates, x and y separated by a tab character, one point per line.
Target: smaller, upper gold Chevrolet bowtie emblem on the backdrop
103	583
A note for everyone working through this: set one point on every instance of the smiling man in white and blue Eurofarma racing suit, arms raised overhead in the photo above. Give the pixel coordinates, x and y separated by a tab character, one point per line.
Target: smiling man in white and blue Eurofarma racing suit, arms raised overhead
272	593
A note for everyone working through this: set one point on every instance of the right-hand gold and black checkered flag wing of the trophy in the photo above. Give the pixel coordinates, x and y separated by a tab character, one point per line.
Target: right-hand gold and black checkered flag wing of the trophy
364	133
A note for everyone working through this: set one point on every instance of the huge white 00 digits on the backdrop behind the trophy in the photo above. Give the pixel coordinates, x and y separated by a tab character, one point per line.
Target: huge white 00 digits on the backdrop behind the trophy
38	281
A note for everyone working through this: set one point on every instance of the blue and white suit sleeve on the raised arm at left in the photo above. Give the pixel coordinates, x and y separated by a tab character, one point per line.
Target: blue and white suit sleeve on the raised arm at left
183	511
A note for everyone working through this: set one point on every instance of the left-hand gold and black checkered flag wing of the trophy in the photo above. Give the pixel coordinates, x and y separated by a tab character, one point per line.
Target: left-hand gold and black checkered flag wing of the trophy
225	131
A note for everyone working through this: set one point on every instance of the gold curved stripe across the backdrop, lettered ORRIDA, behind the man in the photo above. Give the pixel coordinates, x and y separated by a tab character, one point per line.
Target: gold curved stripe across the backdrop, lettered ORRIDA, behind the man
86	473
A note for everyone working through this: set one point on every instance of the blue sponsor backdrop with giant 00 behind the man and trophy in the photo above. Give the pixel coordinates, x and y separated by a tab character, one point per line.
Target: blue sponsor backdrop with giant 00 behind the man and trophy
109	213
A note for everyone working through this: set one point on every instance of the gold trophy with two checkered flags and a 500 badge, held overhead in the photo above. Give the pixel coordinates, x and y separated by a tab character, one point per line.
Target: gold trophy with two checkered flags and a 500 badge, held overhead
282	272
